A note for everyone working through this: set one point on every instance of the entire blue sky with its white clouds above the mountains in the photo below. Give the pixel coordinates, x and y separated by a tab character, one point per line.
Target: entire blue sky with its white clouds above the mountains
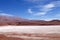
31	9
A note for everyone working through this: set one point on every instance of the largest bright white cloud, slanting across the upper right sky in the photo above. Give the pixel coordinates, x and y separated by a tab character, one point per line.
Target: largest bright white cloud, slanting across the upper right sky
45	9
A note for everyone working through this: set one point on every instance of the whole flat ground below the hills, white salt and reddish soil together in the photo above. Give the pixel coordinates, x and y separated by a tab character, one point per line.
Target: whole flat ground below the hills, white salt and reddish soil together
30	32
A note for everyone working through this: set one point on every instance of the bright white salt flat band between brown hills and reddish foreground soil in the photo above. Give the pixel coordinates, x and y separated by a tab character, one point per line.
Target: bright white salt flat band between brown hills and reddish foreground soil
30	29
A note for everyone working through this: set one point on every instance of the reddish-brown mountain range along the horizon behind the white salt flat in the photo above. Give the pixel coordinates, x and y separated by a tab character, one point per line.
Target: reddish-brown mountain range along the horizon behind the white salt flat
8	20
